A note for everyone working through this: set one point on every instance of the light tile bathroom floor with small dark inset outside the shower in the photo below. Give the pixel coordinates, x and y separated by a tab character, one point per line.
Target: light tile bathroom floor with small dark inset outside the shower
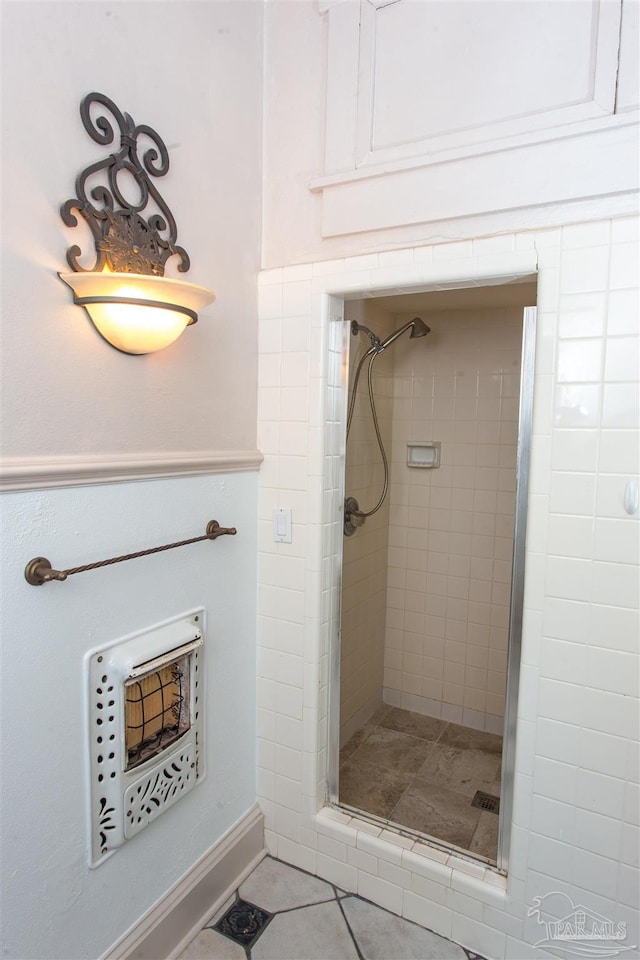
310	919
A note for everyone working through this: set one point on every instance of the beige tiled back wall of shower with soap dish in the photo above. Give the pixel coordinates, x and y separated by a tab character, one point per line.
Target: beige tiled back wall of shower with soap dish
451	528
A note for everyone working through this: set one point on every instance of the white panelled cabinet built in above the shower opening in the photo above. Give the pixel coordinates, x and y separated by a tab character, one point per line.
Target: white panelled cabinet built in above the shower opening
489	107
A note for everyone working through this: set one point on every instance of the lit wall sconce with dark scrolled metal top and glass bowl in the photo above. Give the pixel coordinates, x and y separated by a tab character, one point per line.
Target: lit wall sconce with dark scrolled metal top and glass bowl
129	300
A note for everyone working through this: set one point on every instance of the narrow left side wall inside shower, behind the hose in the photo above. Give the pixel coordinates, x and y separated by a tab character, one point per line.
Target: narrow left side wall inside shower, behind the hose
364	570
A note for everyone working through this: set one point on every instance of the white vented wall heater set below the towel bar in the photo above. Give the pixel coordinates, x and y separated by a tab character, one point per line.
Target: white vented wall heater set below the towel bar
146	701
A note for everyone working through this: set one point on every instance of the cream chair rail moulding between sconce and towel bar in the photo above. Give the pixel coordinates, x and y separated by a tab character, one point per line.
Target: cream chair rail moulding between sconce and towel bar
29	473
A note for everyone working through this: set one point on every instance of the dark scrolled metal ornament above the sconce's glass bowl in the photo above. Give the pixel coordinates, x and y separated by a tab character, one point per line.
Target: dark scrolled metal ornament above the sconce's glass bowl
125	241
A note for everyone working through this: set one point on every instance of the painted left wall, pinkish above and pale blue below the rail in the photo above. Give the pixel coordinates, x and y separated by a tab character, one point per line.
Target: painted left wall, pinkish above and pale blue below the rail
73	408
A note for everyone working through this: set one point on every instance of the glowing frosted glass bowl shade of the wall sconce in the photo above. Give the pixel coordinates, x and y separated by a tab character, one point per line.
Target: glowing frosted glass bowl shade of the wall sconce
137	313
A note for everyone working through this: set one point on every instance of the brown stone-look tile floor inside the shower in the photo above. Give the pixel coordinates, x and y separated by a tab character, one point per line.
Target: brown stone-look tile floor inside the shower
423	773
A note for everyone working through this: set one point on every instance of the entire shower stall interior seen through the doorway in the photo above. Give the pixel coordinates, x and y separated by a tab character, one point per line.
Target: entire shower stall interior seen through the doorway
435	485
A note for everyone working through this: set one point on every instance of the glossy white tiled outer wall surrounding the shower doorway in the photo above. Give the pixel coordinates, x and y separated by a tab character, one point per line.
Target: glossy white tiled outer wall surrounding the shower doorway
575	816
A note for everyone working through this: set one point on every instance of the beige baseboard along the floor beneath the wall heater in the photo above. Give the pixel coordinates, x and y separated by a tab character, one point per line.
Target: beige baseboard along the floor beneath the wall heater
178	917
